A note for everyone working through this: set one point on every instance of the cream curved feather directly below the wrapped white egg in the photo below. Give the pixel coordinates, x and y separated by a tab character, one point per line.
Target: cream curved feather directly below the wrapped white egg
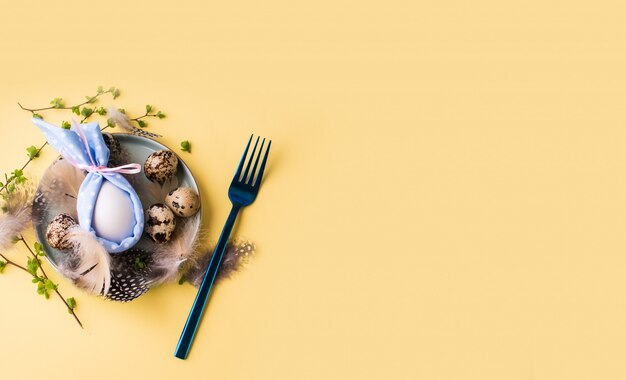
91	262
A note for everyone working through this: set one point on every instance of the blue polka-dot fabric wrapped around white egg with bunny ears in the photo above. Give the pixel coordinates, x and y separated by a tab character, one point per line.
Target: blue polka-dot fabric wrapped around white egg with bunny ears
69	144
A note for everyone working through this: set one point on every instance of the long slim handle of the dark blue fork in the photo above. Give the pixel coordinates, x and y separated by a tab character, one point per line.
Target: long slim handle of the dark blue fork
193	321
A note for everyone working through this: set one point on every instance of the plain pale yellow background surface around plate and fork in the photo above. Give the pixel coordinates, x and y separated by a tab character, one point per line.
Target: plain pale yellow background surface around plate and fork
446	195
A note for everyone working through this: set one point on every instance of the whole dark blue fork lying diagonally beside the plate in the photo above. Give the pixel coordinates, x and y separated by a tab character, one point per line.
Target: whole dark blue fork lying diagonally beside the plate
242	192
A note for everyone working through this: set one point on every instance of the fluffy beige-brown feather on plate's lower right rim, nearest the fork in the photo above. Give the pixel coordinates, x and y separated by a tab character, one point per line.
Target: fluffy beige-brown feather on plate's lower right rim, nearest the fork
167	258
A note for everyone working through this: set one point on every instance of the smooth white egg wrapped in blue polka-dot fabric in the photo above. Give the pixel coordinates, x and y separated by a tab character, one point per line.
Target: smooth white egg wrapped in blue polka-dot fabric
113	214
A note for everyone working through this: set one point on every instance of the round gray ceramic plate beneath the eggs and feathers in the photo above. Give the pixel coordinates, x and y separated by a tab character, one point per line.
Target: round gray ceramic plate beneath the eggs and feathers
136	149
